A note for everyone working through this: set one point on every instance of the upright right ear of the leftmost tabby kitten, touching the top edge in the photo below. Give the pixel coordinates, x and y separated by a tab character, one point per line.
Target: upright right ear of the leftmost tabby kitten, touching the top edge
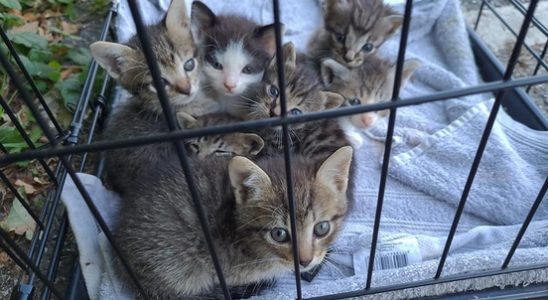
177	23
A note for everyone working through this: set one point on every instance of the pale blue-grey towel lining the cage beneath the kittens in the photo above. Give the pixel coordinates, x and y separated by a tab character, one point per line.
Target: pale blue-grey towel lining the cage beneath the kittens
433	147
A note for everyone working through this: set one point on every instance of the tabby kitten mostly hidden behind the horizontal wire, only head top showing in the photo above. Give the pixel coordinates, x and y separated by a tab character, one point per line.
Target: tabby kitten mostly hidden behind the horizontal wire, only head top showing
230	144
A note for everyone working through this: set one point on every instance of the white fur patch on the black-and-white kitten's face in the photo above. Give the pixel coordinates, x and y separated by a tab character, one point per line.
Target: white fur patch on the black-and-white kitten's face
233	59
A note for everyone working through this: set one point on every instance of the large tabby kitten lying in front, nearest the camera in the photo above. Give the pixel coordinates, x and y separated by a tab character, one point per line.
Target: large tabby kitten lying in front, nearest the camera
247	211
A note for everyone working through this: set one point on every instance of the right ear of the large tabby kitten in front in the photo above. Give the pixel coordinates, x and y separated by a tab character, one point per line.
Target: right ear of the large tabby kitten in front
334	171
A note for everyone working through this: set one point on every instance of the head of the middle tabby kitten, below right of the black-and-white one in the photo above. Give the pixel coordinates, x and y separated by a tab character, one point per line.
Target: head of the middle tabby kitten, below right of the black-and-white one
303	91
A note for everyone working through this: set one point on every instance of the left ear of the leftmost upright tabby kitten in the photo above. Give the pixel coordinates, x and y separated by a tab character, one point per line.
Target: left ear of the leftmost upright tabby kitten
112	57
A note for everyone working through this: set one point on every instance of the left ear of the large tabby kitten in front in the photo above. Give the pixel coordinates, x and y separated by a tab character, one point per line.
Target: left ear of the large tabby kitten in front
247	179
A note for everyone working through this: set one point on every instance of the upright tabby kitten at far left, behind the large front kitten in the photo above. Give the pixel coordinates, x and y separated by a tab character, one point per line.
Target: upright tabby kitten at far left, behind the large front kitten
141	115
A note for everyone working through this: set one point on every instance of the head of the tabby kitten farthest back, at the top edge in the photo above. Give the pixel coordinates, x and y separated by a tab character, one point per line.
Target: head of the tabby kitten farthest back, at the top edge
357	28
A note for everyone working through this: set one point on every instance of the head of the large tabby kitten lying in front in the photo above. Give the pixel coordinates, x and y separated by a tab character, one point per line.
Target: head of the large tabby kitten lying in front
262	212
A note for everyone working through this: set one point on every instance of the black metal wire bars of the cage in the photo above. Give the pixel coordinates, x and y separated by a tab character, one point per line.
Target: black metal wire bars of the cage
39	264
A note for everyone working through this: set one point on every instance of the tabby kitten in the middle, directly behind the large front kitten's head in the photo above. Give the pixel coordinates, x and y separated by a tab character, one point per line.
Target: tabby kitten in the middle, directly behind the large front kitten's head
304	94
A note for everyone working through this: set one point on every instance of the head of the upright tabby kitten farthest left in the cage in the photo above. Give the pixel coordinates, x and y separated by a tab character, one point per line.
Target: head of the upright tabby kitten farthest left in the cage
176	55
